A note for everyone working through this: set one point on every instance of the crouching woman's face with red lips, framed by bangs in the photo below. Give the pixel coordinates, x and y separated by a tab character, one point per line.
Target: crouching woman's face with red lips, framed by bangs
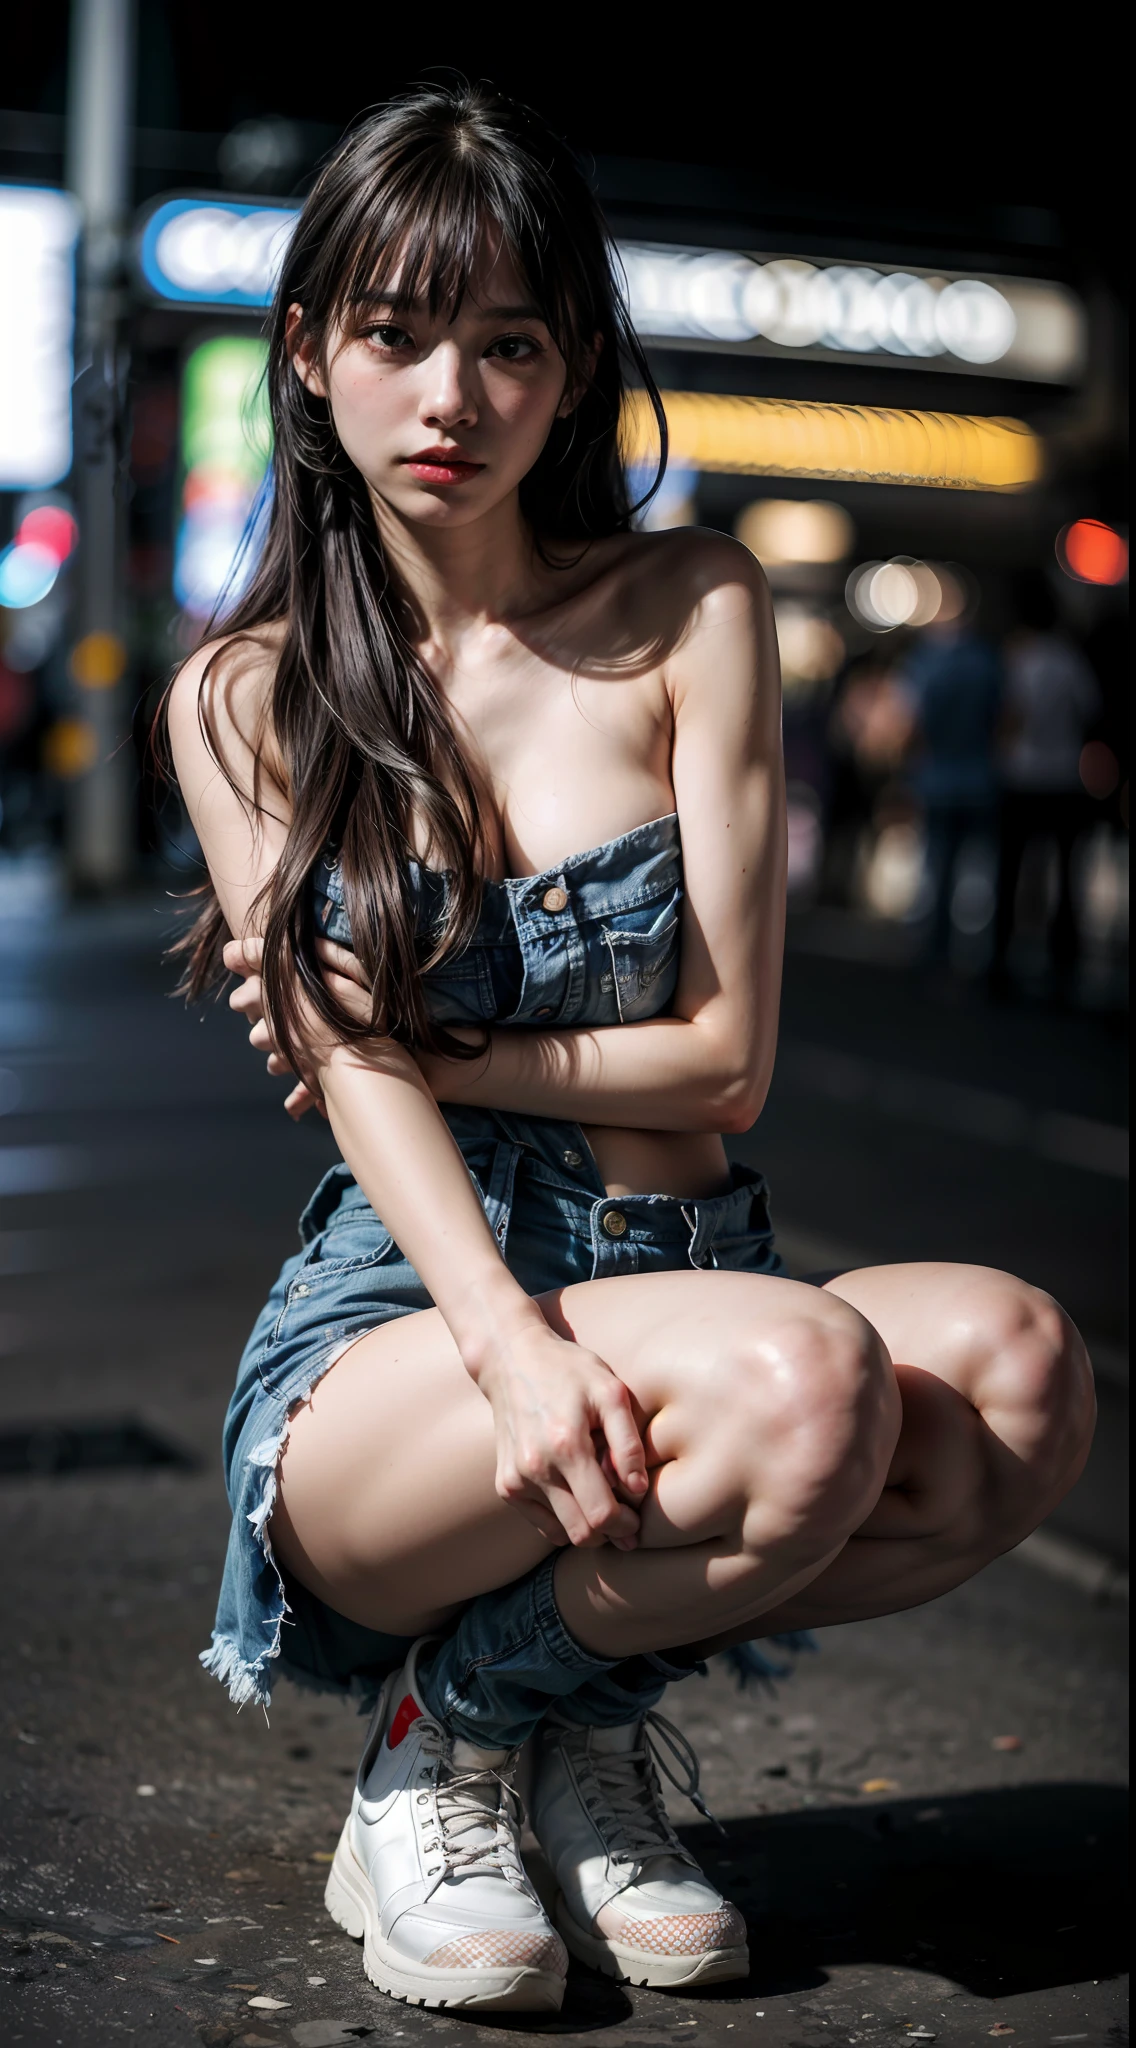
445	417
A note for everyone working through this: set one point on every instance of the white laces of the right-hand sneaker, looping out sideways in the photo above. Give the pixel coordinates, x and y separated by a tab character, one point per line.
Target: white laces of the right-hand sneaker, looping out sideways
625	1795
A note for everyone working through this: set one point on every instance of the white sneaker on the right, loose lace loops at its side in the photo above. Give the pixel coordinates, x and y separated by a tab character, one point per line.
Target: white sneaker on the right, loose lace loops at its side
633	1902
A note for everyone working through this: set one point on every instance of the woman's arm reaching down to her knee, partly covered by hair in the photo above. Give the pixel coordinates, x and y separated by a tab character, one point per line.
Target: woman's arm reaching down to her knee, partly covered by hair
550	1398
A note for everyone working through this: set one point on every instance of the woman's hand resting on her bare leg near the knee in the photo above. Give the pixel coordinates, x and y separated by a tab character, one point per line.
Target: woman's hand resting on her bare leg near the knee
568	1441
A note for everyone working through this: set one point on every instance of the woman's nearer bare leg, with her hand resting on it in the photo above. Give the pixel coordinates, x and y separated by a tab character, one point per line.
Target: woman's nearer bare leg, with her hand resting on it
771	1416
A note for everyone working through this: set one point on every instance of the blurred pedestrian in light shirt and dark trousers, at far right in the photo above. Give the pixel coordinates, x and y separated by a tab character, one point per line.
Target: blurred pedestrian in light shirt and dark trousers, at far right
1051	703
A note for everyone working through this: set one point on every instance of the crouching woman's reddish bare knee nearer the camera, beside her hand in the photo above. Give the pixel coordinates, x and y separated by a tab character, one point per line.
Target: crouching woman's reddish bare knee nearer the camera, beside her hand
807	1410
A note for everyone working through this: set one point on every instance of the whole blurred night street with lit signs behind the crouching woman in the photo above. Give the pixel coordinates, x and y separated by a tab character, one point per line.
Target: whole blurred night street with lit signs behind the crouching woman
879	271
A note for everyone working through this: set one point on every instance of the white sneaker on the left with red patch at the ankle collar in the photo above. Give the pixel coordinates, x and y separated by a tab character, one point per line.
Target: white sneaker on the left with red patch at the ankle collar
429	1869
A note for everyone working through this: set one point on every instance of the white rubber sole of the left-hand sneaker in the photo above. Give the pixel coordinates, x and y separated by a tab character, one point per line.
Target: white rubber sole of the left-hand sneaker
351	1904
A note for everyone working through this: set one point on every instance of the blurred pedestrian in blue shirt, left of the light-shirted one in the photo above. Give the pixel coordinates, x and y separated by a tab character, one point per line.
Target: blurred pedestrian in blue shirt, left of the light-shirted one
955	685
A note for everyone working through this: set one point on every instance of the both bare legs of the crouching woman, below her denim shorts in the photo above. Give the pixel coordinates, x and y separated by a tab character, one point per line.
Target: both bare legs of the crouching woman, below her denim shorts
769	1424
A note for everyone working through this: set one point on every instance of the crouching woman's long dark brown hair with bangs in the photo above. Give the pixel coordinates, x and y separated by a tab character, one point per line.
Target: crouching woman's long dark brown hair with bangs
359	722
